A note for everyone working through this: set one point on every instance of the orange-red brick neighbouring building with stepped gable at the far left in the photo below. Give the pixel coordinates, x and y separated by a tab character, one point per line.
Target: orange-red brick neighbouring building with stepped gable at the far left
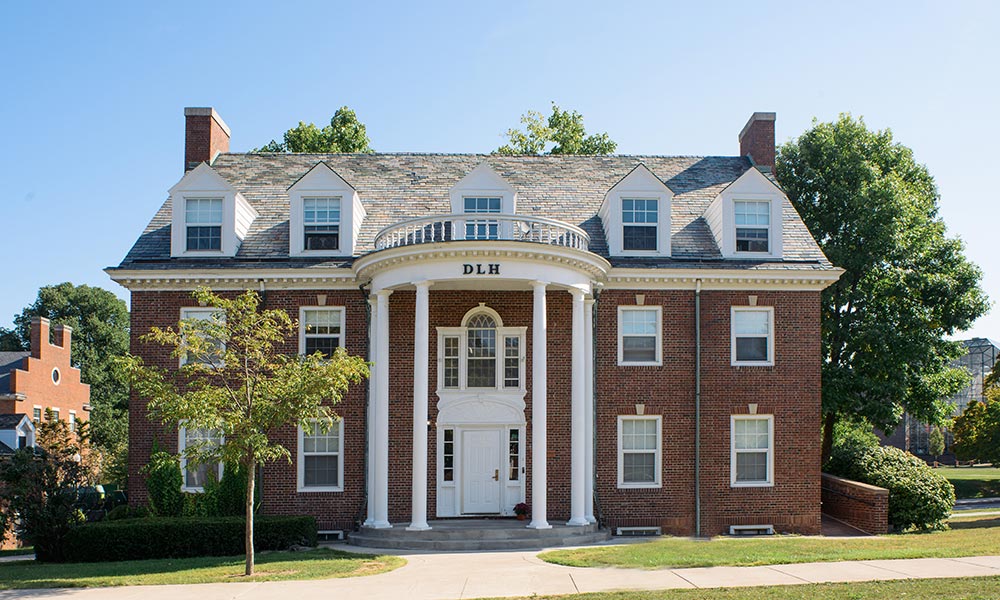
43	379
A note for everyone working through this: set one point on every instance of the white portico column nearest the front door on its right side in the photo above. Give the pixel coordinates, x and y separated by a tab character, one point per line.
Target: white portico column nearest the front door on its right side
539	401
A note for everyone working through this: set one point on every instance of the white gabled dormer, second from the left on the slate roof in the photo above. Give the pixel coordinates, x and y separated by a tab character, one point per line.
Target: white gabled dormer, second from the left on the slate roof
325	214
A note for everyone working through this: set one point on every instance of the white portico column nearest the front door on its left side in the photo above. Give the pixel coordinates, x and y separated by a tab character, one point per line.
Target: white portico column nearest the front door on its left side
421	335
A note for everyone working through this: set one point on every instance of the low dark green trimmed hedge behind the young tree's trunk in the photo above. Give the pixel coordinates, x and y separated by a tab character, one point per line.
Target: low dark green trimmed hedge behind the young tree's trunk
138	539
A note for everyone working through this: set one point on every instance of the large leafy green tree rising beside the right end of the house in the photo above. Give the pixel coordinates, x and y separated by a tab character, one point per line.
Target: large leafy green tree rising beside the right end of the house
906	286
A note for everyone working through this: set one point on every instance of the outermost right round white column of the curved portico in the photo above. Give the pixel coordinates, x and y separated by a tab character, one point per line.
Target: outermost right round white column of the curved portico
578	436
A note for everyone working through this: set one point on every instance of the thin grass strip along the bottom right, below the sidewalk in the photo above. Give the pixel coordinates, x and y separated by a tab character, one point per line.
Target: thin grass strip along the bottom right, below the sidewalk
966	588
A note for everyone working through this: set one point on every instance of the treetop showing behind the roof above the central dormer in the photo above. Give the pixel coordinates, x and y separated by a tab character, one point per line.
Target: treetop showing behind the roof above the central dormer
562	133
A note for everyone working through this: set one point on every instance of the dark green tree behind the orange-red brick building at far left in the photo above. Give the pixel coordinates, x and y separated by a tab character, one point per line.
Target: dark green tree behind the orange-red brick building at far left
100	323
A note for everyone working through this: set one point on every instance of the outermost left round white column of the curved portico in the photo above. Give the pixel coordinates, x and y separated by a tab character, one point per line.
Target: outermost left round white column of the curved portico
382	413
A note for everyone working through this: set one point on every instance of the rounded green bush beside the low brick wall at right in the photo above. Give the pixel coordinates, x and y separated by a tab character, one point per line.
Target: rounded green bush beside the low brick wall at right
918	497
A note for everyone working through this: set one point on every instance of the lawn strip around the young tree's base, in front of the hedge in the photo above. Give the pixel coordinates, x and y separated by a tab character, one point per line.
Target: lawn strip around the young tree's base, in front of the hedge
322	563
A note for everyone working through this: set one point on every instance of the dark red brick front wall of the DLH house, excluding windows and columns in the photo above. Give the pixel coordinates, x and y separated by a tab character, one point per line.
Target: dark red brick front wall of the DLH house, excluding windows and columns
790	391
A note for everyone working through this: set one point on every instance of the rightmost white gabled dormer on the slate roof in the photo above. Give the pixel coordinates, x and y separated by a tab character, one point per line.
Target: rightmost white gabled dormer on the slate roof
745	218
